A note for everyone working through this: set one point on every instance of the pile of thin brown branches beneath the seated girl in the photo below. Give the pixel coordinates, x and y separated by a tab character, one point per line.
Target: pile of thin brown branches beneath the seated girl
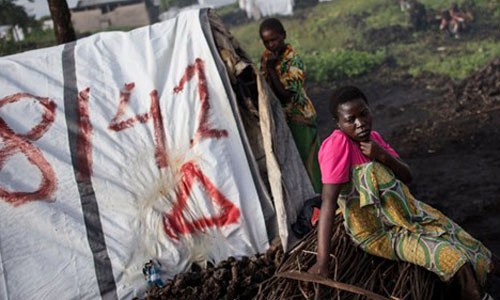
354	274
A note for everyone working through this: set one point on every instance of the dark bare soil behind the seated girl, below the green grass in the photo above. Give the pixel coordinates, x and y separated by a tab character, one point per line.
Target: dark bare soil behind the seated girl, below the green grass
449	134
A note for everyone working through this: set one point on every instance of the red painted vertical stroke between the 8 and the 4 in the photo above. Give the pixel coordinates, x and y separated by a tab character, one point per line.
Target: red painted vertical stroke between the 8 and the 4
83	140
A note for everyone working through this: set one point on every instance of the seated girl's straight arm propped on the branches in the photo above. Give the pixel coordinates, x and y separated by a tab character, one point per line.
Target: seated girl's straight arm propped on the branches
329	197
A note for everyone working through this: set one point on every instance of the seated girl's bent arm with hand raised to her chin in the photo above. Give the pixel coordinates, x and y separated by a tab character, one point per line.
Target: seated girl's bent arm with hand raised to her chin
374	151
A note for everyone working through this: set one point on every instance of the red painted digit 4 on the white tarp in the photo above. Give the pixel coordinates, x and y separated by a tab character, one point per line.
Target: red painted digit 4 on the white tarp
154	113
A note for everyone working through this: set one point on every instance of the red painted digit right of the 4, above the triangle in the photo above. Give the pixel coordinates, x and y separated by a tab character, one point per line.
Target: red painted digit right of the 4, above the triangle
203	131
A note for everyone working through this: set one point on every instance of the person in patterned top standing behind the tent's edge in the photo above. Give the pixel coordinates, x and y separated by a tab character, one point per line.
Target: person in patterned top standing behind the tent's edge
284	70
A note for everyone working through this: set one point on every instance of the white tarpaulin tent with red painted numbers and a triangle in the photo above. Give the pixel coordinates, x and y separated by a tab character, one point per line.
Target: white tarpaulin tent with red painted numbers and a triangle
125	147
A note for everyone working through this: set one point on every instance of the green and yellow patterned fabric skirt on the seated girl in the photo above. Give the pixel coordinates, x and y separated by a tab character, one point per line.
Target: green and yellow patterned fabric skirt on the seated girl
384	219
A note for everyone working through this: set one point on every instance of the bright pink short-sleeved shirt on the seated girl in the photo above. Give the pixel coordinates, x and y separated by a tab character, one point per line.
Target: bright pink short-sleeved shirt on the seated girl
338	153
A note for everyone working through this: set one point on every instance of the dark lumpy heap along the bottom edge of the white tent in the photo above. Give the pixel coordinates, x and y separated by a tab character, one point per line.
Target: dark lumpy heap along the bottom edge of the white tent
230	279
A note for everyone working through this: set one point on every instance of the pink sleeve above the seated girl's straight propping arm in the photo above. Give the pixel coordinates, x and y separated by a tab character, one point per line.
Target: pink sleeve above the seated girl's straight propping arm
334	159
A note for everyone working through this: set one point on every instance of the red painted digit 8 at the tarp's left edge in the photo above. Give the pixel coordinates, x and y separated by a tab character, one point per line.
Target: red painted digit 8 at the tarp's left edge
15	143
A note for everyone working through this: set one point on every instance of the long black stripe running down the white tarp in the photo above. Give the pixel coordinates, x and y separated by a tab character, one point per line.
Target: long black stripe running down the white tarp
91	216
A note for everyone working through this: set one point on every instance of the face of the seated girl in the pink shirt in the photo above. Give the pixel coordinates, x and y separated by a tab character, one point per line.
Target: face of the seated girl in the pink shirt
355	119
